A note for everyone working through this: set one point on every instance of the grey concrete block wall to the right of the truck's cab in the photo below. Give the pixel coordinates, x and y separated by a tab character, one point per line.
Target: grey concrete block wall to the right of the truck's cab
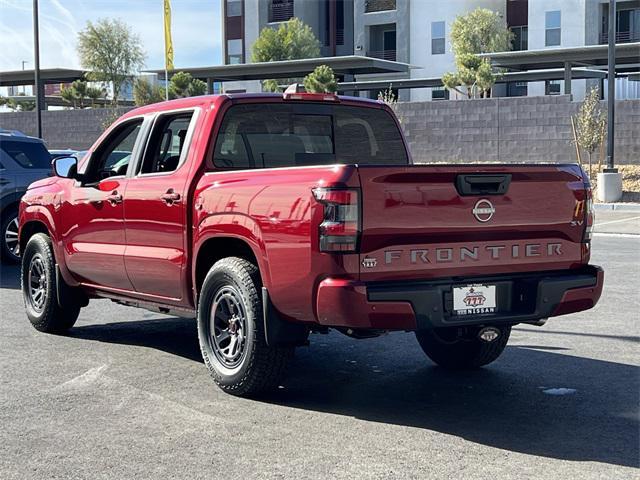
523	129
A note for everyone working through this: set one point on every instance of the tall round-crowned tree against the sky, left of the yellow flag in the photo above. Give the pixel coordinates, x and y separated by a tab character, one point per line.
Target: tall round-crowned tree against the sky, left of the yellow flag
112	53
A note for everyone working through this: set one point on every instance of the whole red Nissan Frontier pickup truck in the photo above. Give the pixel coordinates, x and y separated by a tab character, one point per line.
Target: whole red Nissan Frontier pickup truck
268	217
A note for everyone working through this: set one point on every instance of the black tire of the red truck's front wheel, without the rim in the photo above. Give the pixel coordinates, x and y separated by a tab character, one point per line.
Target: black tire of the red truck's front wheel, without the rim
51	317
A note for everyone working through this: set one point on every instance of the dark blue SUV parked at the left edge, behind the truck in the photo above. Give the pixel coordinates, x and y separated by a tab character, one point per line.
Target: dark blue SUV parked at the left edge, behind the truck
23	160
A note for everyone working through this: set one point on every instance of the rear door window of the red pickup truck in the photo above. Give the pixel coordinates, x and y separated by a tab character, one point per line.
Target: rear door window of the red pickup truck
165	147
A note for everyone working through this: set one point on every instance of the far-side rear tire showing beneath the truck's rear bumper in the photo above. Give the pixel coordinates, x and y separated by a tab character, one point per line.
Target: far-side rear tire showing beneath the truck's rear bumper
460	348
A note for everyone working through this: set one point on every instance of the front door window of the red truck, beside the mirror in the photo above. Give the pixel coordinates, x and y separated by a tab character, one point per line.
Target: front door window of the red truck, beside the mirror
113	156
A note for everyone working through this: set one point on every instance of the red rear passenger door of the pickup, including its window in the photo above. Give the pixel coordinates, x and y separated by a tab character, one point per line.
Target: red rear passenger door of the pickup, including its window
155	209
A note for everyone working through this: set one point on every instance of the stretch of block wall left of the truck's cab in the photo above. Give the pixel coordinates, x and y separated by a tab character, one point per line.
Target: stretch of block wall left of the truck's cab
75	129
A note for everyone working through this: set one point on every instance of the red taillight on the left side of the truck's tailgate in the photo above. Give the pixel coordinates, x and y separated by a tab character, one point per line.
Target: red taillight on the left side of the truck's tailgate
339	231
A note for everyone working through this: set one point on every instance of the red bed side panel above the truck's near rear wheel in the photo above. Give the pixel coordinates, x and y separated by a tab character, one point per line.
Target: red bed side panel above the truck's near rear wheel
275	210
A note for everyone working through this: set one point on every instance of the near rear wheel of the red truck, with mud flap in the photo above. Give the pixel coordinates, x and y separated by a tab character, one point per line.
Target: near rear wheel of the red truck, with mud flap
231	330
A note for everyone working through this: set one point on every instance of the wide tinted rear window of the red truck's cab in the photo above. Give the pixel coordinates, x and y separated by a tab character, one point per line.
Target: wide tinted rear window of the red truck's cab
269	136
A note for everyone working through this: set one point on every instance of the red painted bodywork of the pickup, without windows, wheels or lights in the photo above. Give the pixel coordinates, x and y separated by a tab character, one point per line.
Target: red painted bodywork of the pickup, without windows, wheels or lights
413	223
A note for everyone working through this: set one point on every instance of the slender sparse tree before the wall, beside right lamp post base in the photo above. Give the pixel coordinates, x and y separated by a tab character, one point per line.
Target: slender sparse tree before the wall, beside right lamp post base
590	124
